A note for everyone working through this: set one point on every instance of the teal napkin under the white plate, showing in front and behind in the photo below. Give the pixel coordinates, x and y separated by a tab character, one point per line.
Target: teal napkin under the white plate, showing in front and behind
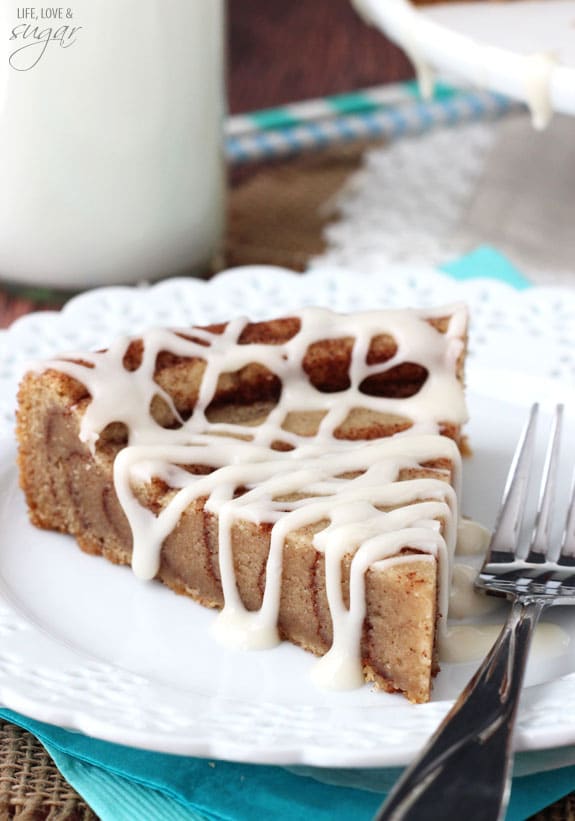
122	783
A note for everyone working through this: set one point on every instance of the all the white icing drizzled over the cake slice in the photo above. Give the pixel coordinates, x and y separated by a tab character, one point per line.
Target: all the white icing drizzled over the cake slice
372	515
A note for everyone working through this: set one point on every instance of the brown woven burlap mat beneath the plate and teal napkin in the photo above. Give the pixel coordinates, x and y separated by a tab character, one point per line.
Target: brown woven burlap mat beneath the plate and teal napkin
276	217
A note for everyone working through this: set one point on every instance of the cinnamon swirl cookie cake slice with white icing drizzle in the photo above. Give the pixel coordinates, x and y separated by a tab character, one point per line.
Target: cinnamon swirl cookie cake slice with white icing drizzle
299	474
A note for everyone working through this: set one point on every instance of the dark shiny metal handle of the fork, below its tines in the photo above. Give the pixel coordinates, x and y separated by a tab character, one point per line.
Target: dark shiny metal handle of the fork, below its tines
464	770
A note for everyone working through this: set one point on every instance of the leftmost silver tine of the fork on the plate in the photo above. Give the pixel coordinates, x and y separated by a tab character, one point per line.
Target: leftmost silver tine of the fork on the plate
505	536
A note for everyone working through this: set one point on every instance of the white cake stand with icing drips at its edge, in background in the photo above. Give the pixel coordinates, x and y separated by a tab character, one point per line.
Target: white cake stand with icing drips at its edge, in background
524	49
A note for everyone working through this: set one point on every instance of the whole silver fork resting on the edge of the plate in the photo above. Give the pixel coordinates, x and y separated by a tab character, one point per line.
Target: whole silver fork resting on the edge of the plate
464	770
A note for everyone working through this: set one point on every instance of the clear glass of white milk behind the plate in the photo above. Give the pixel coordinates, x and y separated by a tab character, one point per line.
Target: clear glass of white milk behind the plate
111	161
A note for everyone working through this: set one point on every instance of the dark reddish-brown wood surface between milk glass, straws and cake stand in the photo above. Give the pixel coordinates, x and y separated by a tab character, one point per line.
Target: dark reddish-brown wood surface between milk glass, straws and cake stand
286	50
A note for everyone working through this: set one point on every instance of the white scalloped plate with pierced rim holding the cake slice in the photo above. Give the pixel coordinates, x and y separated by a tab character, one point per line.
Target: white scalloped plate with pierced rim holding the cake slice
87	646
